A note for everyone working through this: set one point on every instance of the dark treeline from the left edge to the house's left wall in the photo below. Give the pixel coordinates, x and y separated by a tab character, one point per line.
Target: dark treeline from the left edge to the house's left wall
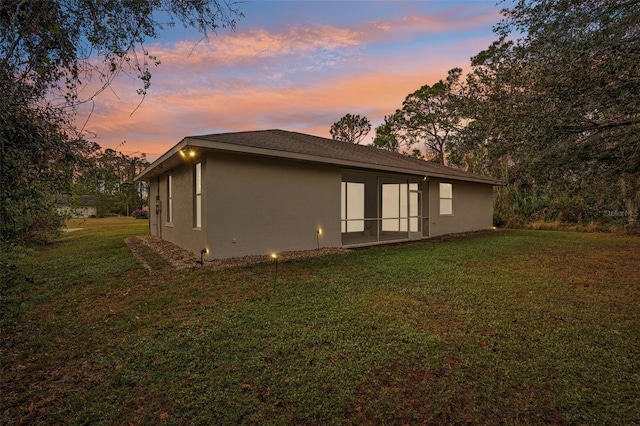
43	188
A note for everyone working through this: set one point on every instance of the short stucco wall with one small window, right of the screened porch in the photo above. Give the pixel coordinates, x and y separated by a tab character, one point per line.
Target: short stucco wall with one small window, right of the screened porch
472	208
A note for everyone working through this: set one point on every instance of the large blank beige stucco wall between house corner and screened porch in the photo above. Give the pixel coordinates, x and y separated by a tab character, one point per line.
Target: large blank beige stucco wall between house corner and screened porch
258	205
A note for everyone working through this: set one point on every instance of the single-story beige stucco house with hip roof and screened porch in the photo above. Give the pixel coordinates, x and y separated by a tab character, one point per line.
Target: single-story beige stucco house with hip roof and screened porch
258	192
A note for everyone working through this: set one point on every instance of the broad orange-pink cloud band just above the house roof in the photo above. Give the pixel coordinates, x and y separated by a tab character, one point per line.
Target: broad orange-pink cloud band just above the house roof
164	119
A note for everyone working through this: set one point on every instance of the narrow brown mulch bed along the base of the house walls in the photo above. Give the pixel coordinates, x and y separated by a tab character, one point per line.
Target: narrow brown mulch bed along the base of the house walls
180	258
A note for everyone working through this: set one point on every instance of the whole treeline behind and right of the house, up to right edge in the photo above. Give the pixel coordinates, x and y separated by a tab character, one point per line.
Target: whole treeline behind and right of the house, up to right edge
551	108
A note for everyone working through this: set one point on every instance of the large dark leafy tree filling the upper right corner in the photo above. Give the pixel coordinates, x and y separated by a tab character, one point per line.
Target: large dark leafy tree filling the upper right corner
559	101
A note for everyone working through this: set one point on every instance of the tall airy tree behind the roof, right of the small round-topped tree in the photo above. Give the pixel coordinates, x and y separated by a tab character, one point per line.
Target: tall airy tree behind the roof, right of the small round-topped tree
433	115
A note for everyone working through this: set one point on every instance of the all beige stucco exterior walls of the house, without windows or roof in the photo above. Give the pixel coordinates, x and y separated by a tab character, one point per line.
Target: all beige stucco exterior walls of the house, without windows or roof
256	205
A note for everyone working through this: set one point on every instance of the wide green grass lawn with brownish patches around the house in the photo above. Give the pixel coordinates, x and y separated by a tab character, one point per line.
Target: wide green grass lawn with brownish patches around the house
516	327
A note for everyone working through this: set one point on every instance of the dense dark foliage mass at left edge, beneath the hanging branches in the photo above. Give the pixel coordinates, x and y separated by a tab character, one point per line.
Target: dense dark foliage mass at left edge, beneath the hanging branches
37	159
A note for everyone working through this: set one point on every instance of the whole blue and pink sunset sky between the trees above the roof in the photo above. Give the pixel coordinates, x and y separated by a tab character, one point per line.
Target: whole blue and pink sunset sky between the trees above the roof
291	65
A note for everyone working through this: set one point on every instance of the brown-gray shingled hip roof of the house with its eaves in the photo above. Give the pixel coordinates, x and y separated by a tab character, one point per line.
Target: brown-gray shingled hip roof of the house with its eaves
303	147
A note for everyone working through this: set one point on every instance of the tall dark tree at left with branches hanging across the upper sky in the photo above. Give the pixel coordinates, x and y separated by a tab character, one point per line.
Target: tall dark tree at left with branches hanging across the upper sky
49	52
